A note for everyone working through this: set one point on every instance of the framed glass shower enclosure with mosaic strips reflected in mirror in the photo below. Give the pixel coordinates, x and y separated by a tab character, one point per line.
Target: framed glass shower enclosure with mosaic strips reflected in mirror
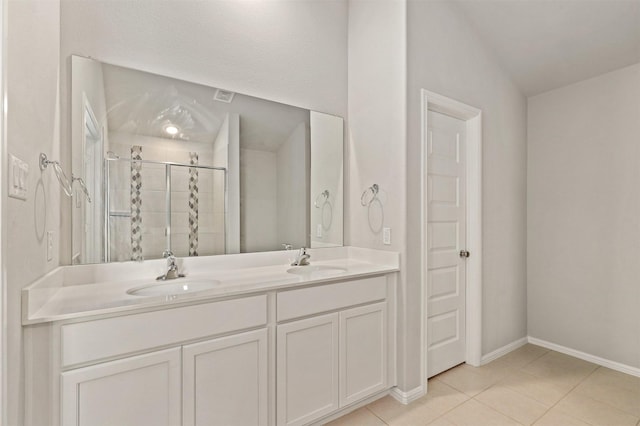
153	206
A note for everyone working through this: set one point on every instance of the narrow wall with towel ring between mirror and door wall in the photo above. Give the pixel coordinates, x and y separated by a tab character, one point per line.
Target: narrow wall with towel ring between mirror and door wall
376	143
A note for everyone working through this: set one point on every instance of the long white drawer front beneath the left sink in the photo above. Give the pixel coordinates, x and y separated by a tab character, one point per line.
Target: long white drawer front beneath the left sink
94	340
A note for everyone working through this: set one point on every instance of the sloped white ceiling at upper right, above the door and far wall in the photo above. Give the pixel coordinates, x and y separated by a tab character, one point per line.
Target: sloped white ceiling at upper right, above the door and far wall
546	44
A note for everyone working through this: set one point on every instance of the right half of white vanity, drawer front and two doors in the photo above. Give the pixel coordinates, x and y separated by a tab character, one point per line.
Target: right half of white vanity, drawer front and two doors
329	361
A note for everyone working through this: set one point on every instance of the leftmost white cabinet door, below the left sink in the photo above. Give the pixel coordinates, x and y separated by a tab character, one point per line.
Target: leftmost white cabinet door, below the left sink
140	390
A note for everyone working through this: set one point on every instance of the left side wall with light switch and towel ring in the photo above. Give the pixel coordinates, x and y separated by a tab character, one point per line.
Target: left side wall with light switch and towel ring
32	127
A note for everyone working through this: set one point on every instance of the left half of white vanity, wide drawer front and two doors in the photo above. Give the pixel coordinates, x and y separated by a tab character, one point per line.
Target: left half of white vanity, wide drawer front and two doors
219	381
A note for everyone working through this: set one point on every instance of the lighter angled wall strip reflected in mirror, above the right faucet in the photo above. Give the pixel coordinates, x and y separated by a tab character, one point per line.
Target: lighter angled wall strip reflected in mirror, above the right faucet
292	170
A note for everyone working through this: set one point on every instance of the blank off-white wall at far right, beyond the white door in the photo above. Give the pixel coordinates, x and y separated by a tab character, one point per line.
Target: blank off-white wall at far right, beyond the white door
584	216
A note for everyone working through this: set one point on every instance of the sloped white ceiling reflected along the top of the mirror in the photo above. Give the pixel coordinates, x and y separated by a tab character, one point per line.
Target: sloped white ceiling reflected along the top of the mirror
142	103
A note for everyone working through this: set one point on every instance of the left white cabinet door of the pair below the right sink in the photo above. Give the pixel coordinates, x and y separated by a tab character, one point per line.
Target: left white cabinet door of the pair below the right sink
307	370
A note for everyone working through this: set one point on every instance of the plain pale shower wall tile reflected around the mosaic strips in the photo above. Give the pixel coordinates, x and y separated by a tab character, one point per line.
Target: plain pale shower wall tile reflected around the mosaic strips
211	228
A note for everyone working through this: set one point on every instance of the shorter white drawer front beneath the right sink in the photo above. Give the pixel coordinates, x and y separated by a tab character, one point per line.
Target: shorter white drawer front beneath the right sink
313	300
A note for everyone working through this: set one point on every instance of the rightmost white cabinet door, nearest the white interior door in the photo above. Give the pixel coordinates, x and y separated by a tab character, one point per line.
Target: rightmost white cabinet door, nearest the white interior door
363	352
